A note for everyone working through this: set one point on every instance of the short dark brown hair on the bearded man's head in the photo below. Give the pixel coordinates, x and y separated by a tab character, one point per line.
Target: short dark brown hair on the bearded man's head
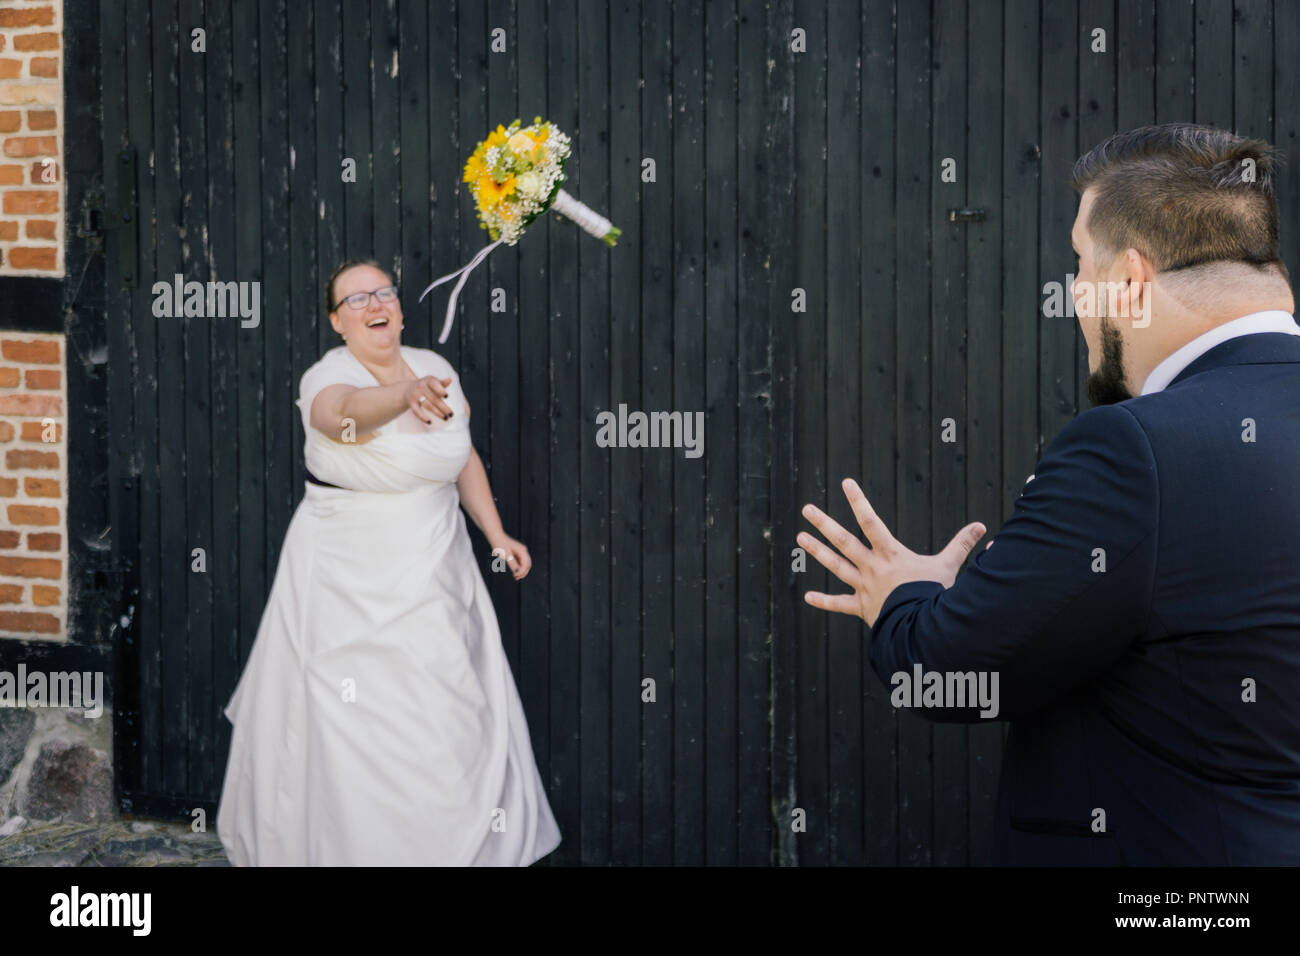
1184	196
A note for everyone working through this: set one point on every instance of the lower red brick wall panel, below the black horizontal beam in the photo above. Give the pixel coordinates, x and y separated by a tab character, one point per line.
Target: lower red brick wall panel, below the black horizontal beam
33	487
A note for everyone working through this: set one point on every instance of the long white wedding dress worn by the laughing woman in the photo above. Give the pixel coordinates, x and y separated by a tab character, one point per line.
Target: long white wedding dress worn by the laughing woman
378	721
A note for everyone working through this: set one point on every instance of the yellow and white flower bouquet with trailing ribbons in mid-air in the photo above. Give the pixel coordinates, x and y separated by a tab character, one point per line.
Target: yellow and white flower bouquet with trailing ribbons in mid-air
515	176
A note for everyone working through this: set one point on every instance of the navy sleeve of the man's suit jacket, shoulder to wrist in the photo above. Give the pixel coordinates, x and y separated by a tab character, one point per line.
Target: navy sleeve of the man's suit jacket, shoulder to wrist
1063	592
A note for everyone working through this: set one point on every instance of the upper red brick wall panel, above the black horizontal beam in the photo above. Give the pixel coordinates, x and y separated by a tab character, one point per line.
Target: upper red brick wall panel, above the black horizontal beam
32	126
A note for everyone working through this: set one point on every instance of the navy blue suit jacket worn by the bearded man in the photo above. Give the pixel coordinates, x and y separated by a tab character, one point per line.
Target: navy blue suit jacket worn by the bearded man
1128	690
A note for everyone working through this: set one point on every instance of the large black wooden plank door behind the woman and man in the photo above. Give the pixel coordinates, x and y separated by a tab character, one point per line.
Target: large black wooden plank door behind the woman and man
778	168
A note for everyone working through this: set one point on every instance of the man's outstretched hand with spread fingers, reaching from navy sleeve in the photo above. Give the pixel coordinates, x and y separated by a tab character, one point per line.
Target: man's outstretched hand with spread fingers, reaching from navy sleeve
876	572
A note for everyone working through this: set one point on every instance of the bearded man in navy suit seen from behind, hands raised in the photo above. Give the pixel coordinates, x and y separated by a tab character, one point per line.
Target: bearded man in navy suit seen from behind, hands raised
1142	605
